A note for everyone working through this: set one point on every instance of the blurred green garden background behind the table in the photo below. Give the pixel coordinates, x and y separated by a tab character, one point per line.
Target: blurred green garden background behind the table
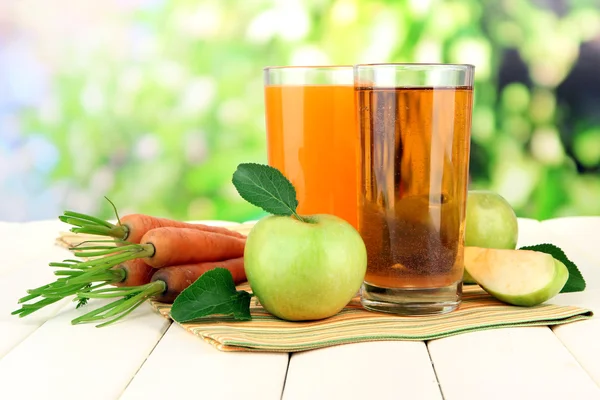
154	103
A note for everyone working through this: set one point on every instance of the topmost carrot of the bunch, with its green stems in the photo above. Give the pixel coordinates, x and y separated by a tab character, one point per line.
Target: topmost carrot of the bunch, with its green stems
133	227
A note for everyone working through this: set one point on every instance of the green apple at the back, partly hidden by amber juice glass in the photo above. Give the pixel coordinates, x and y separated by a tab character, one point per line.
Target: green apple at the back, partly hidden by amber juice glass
490	221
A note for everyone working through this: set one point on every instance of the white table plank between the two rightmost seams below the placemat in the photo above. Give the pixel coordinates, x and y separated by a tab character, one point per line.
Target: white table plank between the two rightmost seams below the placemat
511	363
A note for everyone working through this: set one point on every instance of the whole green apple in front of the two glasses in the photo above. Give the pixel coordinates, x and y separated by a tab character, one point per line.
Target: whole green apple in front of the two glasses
304	270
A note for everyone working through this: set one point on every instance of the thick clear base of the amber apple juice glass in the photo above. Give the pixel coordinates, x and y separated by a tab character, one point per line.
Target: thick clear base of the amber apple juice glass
412	301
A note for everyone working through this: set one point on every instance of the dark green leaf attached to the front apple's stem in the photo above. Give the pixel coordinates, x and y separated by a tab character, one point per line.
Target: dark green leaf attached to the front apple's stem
265	187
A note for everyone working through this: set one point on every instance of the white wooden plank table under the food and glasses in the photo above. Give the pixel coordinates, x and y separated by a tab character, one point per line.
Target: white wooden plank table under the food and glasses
147	357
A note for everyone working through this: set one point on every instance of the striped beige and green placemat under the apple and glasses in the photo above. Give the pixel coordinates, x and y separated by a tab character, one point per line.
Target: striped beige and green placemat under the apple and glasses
353	324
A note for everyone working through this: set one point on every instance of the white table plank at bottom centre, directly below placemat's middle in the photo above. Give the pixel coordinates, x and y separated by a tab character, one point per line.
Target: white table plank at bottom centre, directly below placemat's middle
371	370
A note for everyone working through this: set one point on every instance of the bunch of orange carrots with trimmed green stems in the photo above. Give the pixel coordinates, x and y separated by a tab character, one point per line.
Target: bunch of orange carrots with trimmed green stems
143	257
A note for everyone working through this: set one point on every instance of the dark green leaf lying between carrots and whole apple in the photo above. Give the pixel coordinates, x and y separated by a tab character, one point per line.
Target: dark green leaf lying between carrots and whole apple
213	293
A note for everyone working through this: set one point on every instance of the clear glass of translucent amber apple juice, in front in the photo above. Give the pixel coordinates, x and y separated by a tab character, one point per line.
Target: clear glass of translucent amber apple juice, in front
414	131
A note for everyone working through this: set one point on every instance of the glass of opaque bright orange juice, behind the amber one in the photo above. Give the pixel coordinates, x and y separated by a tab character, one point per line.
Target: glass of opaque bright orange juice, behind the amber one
312	136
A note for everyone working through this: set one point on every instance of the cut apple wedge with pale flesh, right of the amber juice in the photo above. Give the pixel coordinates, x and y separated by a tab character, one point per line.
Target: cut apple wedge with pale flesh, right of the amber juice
518	277
